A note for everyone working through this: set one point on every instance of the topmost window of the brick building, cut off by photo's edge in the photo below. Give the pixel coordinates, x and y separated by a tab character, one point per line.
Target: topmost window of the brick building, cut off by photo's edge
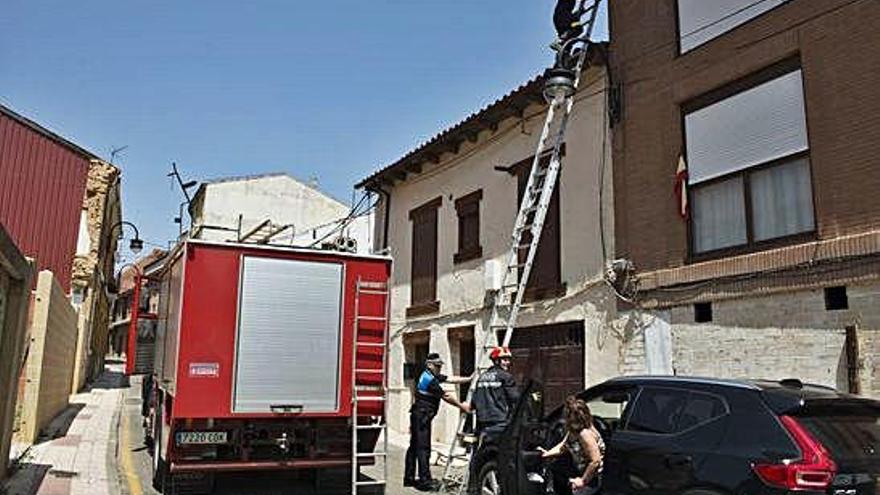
702	20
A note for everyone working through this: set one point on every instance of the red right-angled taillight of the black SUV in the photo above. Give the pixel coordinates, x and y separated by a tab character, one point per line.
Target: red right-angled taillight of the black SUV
813	471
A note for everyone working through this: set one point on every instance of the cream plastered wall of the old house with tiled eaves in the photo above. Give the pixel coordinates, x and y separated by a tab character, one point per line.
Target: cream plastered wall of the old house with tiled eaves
461	287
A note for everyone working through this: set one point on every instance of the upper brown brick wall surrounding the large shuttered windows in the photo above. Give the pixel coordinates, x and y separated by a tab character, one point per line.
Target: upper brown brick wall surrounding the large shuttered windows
837	43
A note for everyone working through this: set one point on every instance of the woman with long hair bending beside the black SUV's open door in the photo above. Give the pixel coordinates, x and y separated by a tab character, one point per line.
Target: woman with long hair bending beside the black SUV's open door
583	441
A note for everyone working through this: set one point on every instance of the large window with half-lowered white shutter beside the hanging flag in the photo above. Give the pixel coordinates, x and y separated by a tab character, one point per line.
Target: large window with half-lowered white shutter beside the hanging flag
748	162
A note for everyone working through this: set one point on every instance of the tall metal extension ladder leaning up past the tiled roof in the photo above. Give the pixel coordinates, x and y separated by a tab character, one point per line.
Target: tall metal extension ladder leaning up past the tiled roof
524	245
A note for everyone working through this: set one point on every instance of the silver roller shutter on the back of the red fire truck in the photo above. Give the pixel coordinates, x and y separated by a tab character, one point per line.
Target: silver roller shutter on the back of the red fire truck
288	339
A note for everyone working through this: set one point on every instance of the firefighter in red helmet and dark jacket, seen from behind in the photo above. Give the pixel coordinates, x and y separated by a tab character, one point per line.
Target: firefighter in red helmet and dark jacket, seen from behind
496	394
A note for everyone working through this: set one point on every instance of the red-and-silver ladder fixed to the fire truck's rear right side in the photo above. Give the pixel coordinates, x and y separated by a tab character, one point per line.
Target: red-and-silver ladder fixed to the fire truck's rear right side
369	385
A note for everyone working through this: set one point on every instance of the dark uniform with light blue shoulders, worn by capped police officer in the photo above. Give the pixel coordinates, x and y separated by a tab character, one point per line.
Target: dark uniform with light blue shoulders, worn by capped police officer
427	403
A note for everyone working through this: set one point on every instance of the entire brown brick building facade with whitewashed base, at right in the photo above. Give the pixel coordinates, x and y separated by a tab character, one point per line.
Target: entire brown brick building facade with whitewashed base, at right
773	108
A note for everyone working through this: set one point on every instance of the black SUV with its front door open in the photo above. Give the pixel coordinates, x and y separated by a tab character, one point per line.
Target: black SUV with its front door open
695	436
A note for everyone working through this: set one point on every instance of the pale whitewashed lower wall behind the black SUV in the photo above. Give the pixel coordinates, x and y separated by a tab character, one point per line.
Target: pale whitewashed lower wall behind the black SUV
787	335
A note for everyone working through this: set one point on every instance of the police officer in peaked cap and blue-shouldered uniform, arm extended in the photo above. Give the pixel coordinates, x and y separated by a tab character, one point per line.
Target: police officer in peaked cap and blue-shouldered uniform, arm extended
428	395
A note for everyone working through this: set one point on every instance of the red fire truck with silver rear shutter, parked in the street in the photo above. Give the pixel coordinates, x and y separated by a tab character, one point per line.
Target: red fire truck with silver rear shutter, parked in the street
268	358
